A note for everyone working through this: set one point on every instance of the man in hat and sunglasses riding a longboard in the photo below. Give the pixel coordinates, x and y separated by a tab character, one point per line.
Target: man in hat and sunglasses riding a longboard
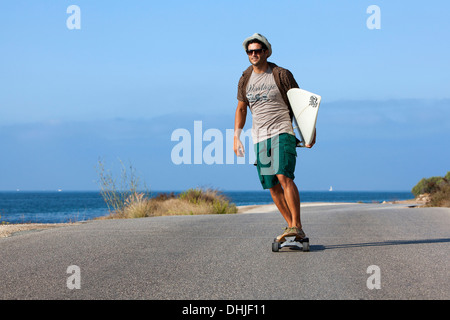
263	88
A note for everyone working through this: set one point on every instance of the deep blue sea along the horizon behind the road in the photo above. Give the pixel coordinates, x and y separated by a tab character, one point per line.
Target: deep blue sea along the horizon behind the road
77	206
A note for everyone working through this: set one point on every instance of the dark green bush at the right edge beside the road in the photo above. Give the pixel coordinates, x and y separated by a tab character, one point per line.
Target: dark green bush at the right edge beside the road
435	189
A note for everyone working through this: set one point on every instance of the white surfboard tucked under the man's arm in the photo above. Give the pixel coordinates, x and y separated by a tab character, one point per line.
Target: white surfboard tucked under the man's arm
305	106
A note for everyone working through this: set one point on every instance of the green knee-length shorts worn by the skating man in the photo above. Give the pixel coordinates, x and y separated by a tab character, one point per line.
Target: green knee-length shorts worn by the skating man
276	155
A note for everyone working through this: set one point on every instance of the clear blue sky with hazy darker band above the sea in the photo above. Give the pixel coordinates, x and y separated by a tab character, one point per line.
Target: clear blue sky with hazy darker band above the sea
138	70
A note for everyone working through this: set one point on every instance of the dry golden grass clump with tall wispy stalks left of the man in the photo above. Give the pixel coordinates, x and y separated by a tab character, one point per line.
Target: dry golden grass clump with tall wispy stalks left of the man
125	199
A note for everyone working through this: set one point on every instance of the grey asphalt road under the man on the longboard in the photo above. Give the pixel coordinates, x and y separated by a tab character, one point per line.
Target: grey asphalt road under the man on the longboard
230	257
